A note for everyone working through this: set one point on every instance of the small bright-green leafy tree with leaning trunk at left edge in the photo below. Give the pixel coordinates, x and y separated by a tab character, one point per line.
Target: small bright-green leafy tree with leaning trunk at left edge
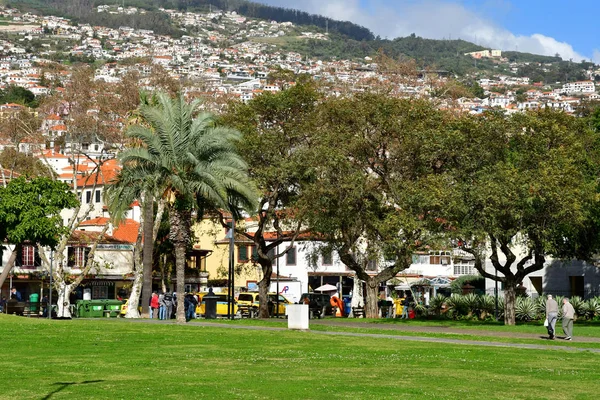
30	212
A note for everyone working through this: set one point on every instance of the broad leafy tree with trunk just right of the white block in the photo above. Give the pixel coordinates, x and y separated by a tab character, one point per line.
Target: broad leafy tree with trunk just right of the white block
380	175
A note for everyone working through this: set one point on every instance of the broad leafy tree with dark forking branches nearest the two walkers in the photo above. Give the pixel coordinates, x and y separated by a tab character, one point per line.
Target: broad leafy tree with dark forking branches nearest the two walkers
526	189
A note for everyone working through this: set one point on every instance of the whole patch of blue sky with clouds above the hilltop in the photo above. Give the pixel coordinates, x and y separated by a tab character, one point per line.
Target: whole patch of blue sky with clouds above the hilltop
569	28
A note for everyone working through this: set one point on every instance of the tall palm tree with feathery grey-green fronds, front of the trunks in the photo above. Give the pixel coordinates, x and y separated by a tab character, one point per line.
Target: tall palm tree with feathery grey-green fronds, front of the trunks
192	164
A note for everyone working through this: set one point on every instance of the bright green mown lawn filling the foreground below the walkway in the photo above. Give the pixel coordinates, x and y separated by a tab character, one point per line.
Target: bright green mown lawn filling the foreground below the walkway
120	359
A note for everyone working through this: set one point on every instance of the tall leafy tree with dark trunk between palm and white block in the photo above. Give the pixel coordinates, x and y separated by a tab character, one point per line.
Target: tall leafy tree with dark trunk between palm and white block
276	129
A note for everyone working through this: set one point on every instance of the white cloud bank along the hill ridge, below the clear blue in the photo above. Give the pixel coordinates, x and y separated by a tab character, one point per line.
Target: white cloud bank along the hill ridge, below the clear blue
436	19
